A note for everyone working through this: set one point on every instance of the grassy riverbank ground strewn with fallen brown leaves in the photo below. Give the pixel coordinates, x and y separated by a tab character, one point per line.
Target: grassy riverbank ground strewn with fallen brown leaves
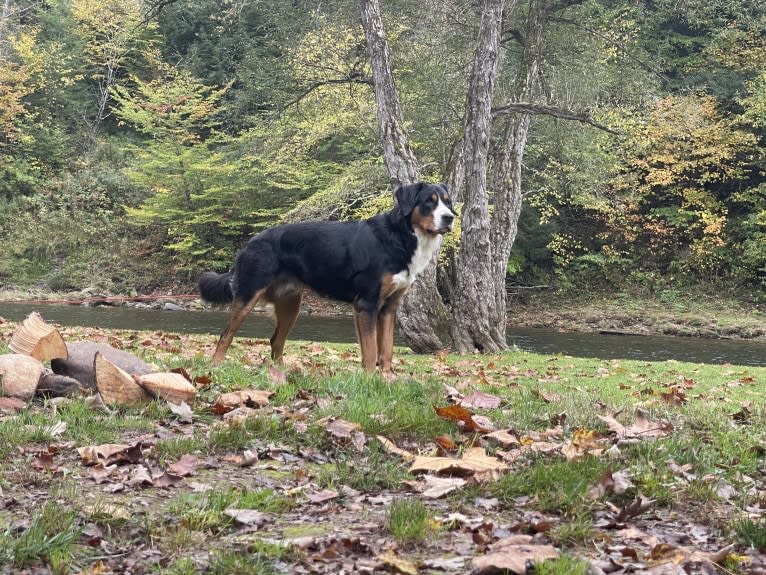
577	465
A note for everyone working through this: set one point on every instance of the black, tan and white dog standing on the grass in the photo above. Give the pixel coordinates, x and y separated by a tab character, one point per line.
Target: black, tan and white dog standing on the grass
369	264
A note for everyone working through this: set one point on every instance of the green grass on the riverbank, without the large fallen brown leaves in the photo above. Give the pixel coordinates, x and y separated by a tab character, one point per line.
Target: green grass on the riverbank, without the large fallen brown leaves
709	438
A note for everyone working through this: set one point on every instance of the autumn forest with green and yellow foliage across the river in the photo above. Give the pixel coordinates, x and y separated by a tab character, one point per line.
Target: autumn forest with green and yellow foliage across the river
142	142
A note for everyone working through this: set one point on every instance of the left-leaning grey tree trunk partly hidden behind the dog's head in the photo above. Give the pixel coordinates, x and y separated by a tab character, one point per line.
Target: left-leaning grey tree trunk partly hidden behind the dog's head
423	318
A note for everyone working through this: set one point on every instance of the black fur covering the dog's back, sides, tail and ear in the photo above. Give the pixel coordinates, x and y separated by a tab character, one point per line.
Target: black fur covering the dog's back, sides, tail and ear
345	261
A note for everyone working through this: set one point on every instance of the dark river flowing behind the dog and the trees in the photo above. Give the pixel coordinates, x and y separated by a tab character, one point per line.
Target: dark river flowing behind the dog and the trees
341	329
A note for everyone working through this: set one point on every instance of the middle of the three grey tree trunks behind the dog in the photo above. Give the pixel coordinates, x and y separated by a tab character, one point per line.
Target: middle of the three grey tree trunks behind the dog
473	310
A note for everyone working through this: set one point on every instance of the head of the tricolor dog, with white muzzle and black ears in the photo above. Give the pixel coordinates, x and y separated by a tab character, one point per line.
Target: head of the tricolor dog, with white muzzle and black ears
427	207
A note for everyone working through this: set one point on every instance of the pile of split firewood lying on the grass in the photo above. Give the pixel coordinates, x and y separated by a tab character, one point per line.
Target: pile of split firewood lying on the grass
118	377
